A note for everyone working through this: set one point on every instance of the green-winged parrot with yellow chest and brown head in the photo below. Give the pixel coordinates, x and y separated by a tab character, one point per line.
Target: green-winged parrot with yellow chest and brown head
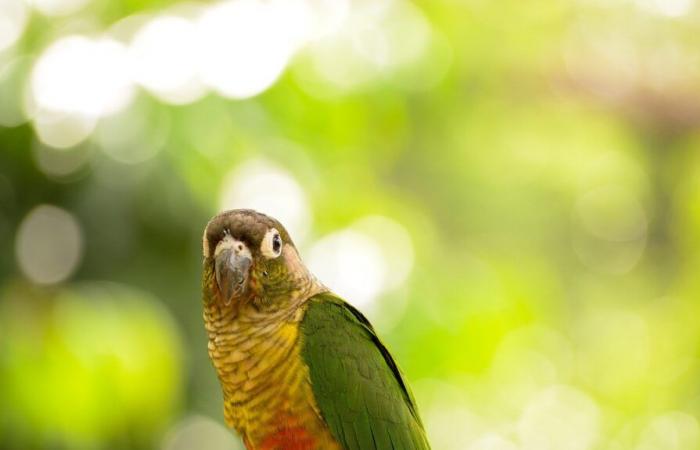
299	367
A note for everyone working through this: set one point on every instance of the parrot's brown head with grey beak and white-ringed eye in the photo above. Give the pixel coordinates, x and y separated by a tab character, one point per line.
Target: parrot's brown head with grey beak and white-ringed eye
250	257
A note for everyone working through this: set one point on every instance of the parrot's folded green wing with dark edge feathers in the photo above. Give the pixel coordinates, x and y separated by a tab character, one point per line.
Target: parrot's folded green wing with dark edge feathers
358	387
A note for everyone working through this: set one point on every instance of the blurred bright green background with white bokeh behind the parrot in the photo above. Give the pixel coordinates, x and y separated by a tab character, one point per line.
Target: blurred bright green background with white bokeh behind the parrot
510	191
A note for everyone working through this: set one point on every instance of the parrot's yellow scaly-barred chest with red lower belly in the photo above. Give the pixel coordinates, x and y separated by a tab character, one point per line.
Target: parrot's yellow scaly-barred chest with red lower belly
264	381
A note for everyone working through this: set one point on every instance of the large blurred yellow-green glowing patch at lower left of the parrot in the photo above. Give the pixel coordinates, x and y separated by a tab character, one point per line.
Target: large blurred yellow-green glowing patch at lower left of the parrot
106	355
